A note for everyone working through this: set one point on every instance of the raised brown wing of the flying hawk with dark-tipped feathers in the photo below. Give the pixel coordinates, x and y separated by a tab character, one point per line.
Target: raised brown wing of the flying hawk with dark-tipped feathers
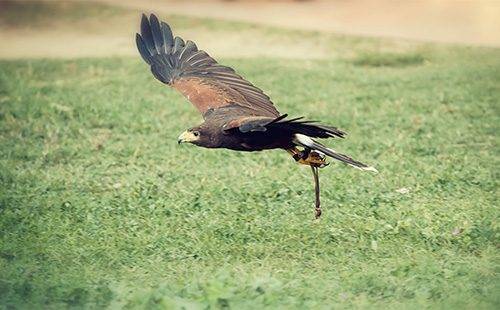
195	74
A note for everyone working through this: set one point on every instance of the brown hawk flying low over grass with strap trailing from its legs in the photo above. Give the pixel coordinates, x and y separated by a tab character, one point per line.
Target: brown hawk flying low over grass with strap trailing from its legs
237	115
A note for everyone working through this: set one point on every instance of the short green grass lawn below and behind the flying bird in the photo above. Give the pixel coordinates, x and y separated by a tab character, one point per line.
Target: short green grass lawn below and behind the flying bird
99	206
